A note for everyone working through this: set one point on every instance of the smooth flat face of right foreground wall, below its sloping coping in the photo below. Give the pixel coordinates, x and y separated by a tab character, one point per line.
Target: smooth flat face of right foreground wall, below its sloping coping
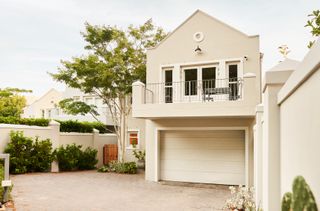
300	142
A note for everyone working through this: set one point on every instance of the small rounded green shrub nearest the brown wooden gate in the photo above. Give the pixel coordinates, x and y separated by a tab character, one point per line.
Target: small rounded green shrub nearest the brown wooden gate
88	159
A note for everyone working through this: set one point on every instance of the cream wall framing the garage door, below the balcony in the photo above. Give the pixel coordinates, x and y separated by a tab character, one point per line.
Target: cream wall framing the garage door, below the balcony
152	125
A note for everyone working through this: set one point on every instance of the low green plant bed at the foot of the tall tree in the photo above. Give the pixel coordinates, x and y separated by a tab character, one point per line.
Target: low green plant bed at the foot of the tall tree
120	167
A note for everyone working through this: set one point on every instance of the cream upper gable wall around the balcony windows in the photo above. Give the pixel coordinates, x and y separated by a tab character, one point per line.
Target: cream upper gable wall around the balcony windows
221	42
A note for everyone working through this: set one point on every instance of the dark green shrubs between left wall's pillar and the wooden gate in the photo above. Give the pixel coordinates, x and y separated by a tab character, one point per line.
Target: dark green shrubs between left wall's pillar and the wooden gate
72	157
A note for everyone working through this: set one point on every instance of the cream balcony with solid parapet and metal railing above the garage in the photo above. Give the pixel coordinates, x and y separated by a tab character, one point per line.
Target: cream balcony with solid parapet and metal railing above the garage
231	97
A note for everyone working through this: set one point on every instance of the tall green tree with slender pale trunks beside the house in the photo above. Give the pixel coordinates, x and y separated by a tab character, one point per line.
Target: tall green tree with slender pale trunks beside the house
115	59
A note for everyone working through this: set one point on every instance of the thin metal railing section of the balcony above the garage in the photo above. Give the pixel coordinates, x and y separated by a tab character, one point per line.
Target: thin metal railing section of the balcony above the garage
194	91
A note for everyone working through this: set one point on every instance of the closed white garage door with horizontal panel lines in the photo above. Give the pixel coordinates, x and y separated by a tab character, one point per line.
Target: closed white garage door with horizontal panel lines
203	156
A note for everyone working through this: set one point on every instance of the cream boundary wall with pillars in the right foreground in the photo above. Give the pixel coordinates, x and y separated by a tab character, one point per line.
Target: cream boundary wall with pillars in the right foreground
287	131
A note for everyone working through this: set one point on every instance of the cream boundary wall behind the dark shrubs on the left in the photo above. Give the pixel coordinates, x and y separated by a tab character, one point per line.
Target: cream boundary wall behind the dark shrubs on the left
52	132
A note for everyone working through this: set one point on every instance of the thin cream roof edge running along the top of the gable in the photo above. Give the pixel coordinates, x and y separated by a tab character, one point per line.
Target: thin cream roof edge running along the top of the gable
203	13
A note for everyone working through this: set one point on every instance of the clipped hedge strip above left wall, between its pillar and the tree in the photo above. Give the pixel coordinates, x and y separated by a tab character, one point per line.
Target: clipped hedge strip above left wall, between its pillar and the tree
83	127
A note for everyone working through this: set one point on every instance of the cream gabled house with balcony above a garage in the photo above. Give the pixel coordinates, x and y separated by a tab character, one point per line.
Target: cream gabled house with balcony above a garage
203	85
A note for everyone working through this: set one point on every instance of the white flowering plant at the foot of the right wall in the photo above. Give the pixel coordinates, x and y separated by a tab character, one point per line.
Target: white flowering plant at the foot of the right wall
242	199
